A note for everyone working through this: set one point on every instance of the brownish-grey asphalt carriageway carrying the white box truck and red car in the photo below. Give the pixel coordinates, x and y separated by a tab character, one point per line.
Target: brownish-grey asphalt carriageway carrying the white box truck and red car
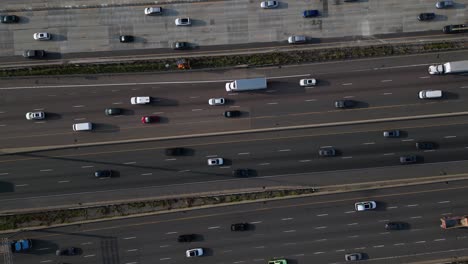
382	87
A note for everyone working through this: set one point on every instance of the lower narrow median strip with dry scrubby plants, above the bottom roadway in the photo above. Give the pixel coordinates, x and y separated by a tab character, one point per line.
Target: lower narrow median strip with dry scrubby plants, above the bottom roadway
46	217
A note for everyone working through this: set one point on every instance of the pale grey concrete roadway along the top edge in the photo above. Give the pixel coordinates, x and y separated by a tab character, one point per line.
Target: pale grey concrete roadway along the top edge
87	26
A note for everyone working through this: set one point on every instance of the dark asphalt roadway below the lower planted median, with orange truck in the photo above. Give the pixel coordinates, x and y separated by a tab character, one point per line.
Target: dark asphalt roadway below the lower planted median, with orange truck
319	229
